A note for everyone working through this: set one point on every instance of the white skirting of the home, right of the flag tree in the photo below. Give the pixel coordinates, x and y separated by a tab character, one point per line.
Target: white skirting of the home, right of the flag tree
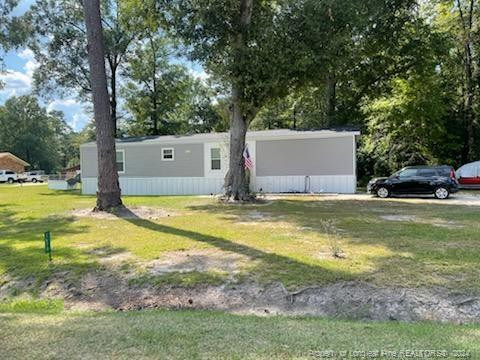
342	184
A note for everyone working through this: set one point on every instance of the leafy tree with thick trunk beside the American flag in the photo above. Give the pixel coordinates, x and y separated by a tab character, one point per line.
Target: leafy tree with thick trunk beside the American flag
264	50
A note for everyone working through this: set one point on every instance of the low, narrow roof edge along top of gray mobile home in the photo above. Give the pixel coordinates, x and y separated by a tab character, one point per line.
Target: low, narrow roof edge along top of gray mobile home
251	135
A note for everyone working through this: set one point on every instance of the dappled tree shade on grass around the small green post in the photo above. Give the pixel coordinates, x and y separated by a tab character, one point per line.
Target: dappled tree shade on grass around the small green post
22	256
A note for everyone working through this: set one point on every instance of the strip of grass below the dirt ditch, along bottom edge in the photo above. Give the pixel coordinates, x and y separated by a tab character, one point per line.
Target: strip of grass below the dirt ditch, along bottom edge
212	335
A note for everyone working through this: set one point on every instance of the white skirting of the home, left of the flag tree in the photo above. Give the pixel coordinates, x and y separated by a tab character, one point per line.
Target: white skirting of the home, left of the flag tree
161	186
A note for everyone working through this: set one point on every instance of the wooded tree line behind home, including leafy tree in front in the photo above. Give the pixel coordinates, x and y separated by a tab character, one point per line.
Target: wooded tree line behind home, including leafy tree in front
406	72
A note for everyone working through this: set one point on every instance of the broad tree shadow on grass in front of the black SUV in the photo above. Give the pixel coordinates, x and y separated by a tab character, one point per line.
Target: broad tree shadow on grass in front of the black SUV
421	252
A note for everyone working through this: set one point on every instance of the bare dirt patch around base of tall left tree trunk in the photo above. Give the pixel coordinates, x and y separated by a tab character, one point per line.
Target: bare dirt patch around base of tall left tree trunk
139	212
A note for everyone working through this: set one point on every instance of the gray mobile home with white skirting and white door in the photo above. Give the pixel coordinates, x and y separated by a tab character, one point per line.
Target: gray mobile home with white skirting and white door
284	161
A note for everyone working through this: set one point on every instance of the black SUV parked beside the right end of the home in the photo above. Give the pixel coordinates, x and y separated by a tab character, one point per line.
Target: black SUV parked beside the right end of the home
437	180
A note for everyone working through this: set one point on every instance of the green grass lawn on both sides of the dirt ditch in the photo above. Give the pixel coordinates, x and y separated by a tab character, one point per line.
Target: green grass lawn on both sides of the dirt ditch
289	240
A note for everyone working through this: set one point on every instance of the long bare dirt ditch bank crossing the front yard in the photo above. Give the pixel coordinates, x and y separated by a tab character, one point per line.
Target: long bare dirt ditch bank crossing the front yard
99	291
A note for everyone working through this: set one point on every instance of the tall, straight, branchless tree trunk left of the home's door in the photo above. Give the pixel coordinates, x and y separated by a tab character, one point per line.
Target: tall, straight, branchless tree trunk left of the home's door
108	195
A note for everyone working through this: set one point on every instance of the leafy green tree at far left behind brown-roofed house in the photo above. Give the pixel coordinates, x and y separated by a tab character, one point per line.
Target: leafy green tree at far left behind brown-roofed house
30	132
